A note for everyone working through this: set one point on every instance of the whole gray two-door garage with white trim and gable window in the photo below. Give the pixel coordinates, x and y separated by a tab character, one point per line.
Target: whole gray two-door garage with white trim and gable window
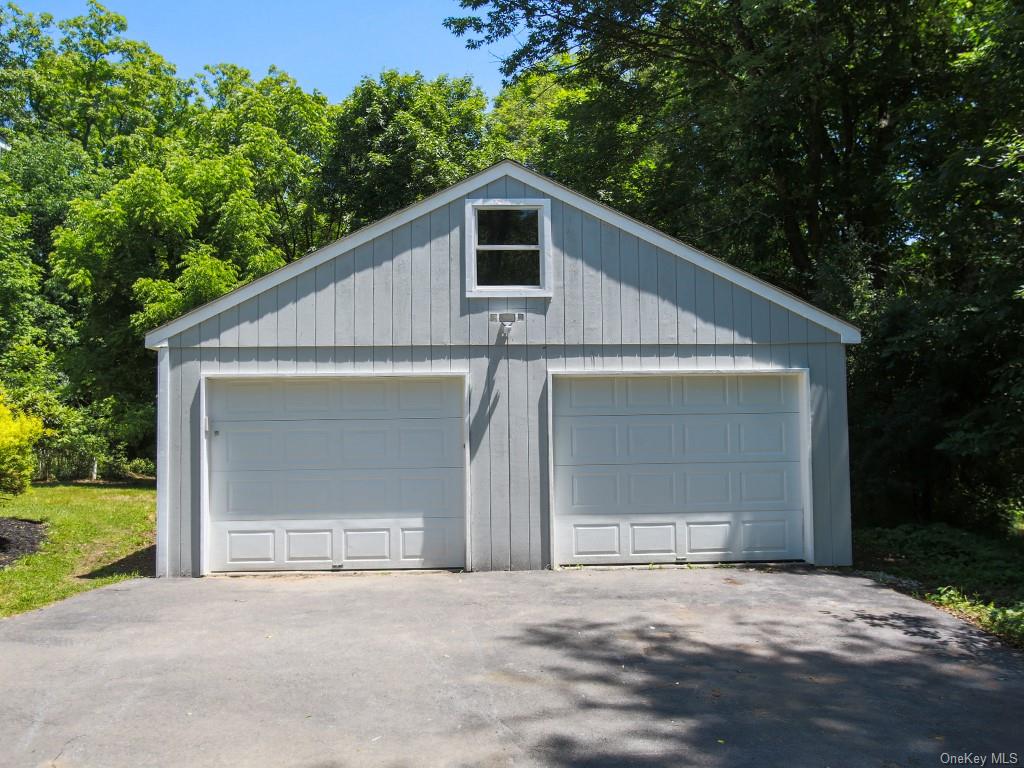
504	376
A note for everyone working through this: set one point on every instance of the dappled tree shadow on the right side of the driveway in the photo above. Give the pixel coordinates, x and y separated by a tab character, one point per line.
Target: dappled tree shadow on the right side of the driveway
643	694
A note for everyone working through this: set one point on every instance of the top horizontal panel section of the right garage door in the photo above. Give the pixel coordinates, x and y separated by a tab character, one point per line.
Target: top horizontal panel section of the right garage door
691	395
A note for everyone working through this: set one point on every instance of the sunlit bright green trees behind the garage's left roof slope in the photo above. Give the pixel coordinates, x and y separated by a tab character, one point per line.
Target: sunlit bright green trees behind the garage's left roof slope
132	196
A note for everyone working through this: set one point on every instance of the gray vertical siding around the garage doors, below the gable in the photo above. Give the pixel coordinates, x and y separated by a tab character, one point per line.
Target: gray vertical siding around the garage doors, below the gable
508	430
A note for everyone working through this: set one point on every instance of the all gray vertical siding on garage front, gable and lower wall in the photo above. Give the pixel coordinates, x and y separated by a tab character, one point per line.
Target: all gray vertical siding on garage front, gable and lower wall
398	305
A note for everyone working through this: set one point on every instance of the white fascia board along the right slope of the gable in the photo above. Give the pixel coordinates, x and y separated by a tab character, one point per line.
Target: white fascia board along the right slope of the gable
848	334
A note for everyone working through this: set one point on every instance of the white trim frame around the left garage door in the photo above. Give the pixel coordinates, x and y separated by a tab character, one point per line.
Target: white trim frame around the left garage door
205	468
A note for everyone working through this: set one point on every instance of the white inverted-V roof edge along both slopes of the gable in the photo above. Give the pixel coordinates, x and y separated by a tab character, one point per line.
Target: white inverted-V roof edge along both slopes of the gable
848	334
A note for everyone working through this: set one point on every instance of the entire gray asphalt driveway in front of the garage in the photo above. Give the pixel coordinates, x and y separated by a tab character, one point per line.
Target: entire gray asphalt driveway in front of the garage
711	667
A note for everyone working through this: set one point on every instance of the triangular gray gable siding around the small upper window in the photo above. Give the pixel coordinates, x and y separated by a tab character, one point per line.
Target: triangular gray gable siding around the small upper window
406	289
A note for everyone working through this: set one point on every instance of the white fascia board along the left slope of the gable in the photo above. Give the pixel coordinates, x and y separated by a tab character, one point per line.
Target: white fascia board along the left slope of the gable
311	262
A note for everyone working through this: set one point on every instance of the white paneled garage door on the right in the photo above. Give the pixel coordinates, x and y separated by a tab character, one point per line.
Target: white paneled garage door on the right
686	468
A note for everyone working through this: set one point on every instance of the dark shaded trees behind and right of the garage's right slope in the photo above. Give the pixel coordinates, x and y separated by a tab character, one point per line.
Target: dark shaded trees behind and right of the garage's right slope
867	157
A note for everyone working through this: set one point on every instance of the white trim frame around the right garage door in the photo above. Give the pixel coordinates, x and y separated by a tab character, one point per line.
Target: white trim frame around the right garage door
804	390
